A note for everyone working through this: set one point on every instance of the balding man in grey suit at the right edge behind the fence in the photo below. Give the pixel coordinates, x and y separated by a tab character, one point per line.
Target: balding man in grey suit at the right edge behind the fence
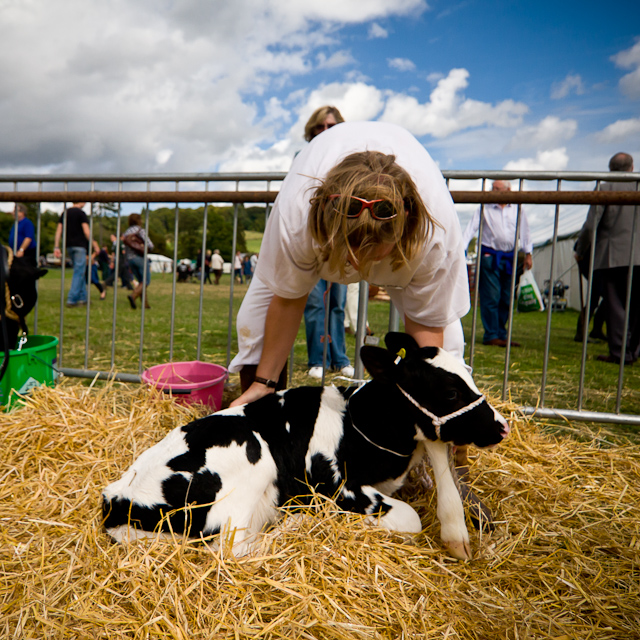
613	225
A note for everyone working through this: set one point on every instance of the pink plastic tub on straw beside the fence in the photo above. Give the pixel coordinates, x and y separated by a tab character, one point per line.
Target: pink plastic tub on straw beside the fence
189	382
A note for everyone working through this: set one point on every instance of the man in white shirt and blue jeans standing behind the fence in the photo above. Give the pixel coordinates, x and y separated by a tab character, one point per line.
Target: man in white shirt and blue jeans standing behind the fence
498	242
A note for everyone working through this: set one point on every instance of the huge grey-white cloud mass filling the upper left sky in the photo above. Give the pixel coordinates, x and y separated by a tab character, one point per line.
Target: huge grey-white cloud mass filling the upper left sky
114	86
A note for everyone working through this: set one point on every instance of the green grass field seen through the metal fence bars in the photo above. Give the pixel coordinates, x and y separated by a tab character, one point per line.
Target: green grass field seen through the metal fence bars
525	369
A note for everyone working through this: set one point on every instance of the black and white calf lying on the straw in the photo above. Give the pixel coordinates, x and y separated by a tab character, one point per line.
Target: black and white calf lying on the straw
233	469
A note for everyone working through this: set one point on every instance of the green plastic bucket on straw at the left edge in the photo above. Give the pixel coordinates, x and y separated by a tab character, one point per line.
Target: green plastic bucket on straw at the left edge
32	366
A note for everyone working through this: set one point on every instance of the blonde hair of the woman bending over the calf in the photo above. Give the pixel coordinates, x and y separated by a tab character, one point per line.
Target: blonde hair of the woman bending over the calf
370	175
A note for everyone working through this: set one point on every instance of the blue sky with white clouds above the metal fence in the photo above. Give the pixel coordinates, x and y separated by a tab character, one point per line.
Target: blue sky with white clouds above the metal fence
206	85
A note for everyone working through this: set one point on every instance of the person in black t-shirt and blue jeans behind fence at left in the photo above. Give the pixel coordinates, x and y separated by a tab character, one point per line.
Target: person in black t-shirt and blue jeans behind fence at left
77	244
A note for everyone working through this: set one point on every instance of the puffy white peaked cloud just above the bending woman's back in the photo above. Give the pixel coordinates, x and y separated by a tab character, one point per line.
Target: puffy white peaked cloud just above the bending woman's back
447	111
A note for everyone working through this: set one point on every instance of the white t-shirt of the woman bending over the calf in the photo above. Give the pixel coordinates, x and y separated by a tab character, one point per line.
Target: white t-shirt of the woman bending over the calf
433	290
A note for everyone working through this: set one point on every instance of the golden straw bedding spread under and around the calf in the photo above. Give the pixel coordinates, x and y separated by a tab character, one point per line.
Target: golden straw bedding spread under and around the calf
563	562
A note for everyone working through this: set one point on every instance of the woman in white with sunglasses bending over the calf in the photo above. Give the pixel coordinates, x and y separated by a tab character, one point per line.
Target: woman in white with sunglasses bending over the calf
363	201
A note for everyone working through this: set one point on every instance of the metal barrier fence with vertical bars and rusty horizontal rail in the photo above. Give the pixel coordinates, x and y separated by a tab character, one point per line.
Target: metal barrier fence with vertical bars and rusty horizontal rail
259	188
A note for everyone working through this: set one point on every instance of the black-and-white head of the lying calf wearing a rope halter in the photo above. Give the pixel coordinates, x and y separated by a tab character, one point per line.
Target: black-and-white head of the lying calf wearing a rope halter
434	386
